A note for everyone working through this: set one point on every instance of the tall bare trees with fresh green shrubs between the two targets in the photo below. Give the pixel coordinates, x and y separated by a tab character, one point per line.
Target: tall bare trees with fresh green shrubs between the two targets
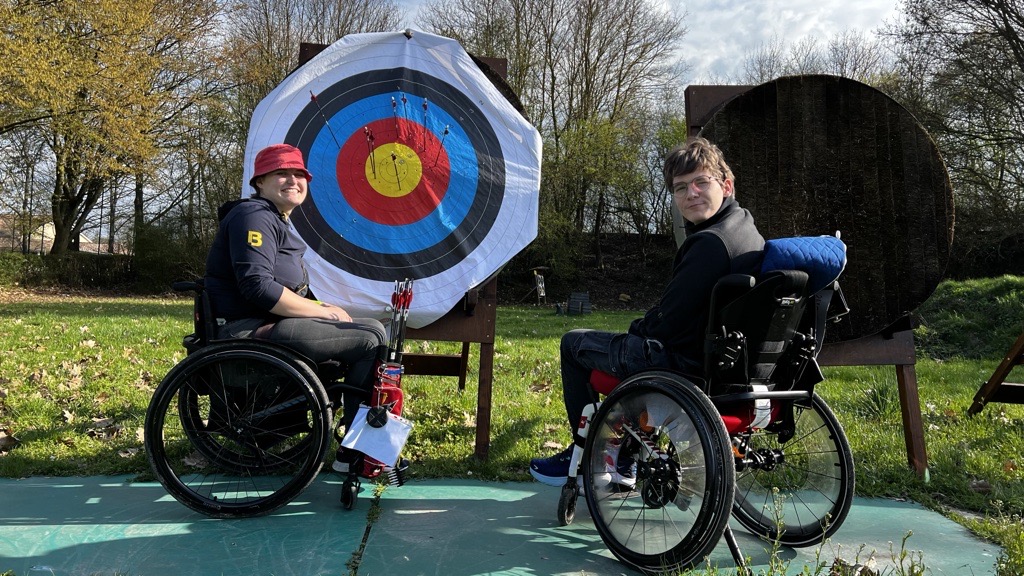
590	74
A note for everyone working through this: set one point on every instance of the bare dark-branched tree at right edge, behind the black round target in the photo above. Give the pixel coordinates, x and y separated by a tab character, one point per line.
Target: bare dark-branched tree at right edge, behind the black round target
962	73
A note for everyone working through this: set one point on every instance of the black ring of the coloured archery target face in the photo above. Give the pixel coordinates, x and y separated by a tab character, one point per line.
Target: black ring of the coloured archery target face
460	242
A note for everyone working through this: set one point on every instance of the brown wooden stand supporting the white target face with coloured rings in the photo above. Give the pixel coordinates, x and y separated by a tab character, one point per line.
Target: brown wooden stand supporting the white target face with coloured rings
471	322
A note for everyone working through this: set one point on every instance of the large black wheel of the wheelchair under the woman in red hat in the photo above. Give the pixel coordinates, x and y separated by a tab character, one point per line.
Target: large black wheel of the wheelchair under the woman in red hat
238	429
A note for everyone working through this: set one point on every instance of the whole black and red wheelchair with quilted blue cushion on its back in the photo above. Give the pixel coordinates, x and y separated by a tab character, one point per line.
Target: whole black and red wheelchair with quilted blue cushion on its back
751	438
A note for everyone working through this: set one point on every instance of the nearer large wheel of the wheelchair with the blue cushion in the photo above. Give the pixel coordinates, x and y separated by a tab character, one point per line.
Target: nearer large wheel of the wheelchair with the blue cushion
663	431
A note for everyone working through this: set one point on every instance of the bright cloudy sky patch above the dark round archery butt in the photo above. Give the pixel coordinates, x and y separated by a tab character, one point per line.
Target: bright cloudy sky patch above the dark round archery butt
721	32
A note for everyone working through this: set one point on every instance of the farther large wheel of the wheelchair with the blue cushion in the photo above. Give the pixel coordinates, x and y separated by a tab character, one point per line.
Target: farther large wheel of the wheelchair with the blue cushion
813	473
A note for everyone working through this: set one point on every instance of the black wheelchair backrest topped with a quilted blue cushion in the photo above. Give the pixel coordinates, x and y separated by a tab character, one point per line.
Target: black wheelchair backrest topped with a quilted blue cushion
767	330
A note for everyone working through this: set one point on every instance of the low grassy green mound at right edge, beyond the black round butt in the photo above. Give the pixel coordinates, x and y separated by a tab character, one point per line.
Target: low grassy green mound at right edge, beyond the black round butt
971	319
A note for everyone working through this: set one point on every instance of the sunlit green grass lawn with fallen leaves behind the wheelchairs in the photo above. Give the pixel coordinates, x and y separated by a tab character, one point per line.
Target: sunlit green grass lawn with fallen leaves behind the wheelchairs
77	373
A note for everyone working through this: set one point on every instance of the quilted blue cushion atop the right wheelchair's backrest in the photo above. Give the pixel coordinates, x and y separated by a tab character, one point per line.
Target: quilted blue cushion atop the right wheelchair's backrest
823	258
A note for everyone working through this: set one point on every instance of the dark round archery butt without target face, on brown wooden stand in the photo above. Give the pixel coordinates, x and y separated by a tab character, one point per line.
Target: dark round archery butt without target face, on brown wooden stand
818	154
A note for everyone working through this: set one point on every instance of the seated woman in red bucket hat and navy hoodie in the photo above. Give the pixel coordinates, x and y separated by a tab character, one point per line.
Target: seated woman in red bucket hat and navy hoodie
259	285
